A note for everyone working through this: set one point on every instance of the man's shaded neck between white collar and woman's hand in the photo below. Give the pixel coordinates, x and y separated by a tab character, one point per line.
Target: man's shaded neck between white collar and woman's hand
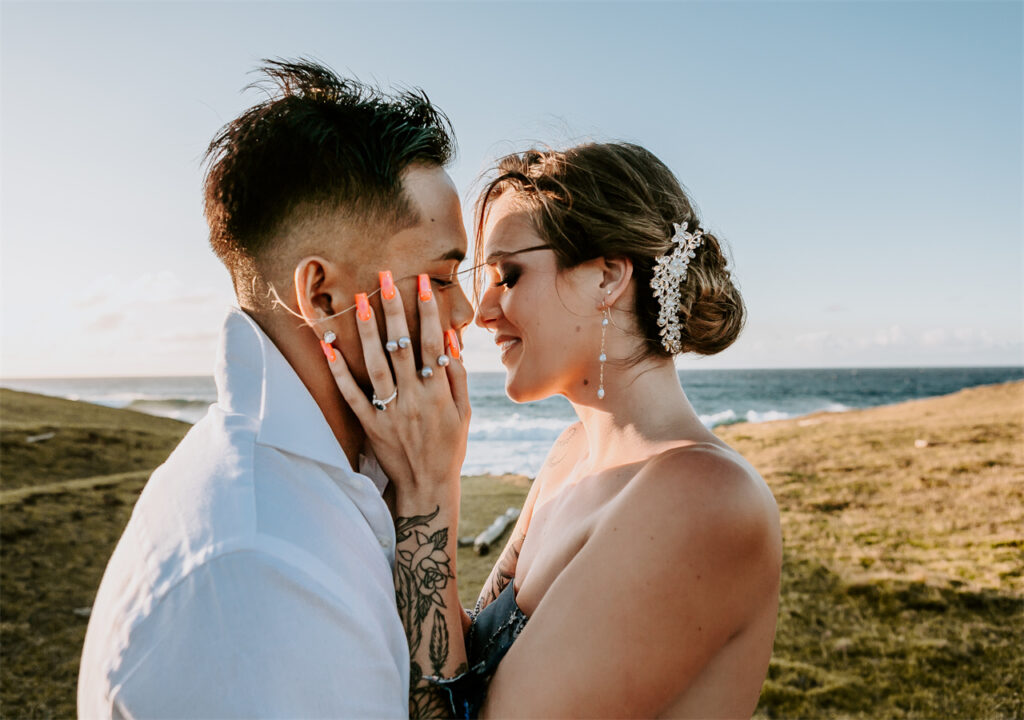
303	352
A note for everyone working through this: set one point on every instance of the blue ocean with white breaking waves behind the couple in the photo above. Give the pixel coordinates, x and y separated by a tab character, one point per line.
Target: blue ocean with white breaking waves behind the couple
509	438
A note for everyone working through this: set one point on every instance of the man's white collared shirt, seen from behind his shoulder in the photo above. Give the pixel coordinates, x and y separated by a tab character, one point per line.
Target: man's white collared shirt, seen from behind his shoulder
255	576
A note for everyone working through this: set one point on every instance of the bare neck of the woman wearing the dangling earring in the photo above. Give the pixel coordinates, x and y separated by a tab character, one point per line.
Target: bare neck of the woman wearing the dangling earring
645	408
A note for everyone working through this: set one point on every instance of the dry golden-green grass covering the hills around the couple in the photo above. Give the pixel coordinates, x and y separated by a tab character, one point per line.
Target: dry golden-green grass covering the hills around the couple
902	597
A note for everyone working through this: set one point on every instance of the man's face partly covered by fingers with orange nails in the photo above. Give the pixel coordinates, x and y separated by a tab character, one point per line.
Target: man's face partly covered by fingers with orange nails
436	246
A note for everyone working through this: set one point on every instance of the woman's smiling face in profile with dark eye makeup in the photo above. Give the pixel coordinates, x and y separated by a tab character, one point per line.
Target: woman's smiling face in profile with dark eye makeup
546	322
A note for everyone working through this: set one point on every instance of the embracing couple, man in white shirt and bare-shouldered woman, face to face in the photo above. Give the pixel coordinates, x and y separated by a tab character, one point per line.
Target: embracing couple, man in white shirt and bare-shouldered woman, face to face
295	557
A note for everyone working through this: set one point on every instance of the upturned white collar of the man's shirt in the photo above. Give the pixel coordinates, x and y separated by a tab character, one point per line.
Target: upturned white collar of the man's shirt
255	380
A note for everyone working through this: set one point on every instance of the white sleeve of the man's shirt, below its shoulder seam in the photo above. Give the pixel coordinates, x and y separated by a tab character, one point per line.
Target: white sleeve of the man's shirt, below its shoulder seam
250	636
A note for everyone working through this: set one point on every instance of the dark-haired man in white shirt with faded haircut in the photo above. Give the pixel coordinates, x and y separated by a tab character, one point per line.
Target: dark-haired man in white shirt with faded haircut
255	576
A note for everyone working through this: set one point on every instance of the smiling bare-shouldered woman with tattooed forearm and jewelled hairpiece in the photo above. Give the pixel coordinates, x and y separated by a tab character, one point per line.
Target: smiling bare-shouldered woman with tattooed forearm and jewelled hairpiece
643	577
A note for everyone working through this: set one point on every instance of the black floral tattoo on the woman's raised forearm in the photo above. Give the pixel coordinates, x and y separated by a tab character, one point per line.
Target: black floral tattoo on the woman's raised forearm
423	570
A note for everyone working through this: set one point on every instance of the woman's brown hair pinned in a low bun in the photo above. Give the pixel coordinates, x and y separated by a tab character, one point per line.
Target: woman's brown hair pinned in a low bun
618	200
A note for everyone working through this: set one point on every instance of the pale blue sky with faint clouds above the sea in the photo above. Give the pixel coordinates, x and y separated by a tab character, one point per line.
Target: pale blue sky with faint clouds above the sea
863	160
